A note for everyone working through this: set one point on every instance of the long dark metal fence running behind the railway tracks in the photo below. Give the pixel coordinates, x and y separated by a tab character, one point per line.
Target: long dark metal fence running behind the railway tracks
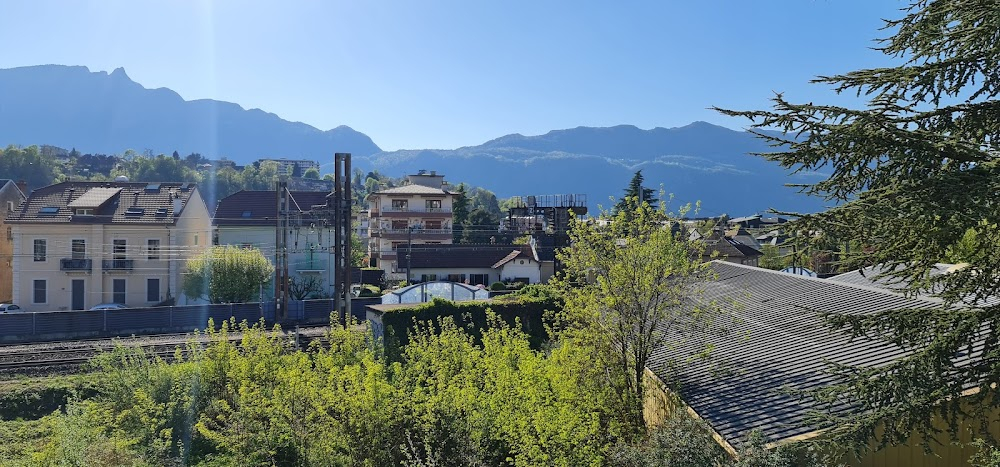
62	325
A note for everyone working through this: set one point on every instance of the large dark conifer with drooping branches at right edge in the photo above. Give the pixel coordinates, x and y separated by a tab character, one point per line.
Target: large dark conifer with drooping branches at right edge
913	169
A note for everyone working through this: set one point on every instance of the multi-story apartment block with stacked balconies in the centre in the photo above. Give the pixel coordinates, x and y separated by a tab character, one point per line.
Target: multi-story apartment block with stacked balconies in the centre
418	213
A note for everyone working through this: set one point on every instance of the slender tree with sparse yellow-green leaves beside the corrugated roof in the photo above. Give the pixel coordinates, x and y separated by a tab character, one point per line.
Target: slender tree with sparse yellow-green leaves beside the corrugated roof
639	295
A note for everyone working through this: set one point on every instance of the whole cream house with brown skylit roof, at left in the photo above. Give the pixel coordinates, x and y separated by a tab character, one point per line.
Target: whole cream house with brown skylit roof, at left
77	244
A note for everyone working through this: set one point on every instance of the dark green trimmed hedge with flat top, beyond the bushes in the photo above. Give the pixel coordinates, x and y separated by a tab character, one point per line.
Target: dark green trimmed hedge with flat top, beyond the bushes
526	310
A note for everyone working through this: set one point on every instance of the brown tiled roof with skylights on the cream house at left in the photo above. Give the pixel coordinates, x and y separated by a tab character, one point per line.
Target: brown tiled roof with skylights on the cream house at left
133	203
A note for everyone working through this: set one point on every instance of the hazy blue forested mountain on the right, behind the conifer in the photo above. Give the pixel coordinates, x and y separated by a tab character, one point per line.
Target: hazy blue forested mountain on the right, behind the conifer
697	162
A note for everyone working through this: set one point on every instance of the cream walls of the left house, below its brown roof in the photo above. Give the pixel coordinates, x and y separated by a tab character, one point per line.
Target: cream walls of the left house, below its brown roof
73	265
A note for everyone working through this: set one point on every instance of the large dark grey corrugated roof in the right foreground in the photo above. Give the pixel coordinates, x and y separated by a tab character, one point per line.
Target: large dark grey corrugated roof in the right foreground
776	342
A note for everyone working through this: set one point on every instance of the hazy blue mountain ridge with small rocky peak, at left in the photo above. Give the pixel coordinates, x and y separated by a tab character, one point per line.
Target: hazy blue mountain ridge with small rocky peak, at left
100	112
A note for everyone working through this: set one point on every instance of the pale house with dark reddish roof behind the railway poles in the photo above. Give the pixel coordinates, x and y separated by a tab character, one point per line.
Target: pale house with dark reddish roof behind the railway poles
248	218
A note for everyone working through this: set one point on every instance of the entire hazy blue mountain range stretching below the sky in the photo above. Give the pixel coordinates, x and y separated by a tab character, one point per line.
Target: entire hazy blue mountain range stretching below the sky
70	106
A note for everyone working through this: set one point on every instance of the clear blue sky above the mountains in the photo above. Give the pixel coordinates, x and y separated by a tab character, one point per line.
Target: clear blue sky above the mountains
444	74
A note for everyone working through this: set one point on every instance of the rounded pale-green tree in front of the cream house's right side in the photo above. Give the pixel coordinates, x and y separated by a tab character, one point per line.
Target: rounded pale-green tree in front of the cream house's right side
227	274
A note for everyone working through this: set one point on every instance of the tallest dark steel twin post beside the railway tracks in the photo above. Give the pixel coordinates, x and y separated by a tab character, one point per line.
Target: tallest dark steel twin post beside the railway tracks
340	207
